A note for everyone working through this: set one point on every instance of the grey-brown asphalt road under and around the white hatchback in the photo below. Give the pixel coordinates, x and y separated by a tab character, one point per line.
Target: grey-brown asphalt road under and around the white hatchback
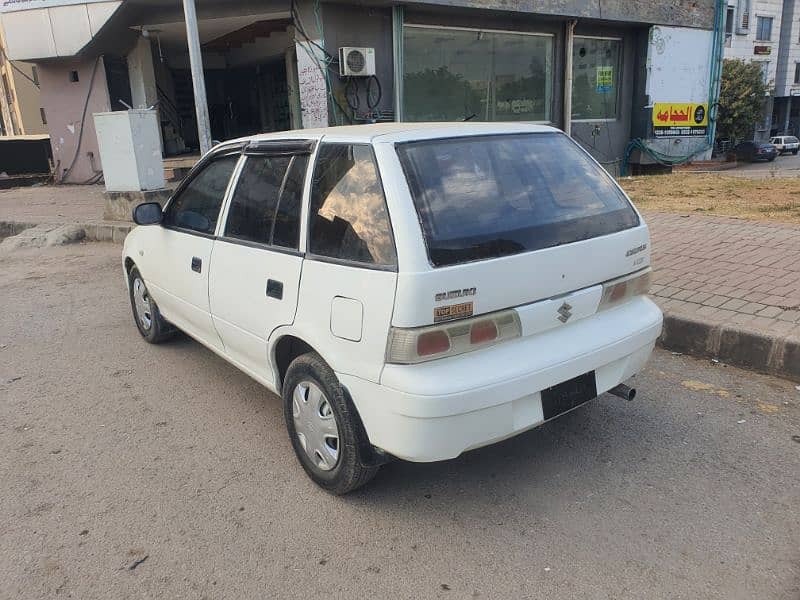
133	471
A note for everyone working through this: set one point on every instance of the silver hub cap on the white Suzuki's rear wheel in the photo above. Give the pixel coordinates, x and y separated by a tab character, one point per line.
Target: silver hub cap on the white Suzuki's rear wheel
315	425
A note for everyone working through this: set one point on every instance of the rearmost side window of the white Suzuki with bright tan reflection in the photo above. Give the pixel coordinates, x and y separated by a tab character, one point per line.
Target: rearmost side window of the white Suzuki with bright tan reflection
349	219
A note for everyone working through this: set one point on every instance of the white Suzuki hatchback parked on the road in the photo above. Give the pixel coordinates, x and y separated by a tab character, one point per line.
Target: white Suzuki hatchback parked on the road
410	290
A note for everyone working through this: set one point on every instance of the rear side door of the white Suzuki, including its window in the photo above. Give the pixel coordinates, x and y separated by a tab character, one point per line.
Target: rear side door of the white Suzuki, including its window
256	263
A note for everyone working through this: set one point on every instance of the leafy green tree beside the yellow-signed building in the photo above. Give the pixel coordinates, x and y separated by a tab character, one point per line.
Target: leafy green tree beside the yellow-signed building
741	100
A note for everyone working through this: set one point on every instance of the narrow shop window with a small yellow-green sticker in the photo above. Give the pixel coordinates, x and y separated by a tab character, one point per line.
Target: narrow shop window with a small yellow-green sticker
595	78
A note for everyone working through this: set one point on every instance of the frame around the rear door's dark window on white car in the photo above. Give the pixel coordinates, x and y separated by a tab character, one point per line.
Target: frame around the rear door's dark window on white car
272	148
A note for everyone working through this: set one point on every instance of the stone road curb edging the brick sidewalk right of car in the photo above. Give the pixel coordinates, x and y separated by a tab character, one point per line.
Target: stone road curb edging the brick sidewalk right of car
738	346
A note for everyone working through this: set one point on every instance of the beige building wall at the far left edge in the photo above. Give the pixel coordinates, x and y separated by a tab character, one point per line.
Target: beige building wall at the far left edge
20	102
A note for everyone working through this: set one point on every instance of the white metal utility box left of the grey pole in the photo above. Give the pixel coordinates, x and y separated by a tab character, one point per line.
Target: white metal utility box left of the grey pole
130	150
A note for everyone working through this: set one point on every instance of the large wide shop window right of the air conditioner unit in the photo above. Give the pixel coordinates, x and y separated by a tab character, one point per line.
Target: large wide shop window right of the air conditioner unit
467	74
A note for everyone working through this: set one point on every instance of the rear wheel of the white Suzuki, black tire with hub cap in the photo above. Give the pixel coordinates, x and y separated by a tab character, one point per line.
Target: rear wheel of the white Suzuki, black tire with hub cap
324	426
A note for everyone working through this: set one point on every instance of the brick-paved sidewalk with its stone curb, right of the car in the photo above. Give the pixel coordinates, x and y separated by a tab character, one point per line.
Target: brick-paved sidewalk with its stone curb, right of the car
729	289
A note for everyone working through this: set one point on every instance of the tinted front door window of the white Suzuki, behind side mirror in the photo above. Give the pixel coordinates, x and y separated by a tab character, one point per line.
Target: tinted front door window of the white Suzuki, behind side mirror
197	206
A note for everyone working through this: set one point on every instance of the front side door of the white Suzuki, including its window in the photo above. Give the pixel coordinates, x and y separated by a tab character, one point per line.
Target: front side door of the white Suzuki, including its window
179	253
